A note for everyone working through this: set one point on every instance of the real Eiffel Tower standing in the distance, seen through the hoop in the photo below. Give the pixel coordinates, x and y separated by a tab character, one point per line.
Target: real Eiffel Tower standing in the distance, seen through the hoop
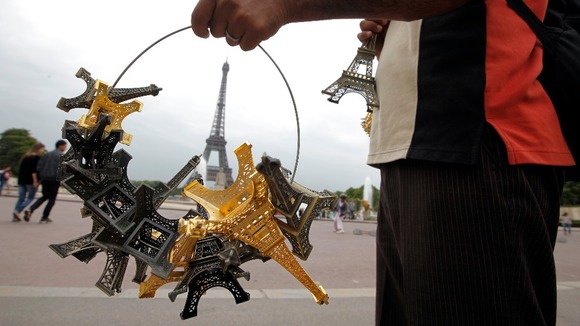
216	141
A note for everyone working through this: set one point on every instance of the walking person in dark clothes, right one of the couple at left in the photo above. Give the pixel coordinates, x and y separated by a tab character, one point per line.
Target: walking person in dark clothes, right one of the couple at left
47	169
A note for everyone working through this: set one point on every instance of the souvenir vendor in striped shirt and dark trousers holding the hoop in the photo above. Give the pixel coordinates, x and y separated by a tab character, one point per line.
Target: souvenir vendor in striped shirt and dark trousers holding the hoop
469	148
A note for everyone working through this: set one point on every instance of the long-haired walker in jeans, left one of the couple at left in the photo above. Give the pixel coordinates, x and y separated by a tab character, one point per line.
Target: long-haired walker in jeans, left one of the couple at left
28	181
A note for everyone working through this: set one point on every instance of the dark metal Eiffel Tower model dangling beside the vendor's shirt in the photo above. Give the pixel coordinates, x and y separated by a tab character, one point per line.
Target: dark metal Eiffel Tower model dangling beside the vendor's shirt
352	81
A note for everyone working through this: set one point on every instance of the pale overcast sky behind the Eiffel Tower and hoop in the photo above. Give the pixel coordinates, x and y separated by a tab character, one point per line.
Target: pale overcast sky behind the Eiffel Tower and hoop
44	43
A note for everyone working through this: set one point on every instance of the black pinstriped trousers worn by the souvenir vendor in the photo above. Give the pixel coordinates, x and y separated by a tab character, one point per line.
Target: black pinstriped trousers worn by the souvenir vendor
467	245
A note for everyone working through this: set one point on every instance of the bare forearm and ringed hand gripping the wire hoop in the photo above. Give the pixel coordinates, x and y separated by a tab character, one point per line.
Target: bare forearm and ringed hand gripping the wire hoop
249	22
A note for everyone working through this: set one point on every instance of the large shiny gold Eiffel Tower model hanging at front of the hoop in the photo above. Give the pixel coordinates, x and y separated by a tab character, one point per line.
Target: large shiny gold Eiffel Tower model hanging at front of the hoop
248	216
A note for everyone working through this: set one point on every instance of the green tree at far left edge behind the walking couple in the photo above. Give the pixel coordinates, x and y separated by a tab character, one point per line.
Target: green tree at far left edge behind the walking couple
13	144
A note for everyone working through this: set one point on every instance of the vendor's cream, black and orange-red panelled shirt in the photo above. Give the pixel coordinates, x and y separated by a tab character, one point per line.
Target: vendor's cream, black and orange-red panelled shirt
441	79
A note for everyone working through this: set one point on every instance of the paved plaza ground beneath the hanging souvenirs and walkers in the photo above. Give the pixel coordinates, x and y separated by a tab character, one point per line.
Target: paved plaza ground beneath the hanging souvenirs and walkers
39	288
